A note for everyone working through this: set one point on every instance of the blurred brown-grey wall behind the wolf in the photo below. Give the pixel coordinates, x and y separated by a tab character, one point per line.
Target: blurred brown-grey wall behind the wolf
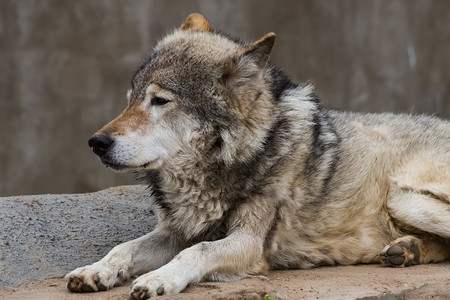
65	67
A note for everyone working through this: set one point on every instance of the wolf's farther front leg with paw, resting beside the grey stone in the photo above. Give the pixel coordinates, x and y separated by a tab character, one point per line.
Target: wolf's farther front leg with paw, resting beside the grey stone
123	261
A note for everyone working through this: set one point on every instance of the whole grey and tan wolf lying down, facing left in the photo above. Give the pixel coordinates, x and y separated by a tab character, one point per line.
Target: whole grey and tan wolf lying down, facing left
250	172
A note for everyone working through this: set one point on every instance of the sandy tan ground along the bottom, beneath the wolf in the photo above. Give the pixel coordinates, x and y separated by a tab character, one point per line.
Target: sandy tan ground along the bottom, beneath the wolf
349	282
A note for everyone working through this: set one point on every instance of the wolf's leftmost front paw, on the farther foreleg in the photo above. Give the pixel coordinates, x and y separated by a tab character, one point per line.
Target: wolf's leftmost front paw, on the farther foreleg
92	278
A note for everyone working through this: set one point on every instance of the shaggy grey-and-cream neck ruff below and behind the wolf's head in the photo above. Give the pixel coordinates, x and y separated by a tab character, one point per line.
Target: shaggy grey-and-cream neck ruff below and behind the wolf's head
204	186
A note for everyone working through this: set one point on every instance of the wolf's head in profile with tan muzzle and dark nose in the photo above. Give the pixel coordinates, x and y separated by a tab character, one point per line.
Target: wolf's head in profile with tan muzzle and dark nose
200	93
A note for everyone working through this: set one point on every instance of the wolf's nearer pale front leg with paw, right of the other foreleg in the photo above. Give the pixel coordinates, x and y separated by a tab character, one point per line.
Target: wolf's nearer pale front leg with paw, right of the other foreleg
235	256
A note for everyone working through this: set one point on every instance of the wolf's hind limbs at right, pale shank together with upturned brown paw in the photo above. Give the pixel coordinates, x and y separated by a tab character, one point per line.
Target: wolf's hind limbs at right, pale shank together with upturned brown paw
423	212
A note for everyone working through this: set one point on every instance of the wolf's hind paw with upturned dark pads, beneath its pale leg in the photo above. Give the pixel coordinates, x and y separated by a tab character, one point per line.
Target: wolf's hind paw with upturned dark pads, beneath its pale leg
402	252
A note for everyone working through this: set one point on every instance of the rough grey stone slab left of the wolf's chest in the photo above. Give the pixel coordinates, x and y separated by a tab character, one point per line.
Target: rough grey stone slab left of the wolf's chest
46	236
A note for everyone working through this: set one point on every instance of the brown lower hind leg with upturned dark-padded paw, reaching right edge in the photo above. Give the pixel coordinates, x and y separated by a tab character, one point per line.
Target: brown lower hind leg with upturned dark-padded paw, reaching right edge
410	250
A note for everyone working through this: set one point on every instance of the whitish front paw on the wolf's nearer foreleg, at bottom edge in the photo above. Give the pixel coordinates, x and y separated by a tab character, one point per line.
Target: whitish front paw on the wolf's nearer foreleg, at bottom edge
155	284
